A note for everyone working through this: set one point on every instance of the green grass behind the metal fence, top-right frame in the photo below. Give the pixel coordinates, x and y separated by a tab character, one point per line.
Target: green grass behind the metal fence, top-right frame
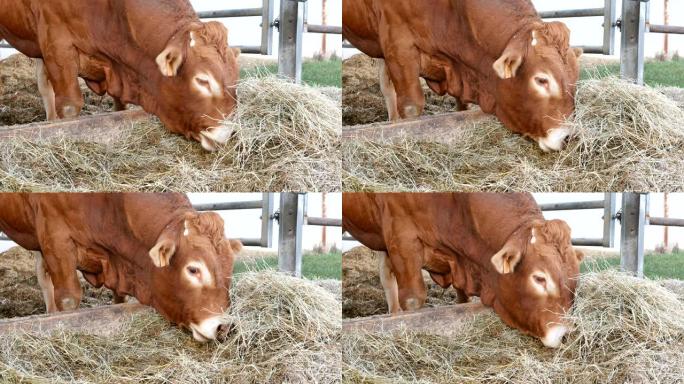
663	73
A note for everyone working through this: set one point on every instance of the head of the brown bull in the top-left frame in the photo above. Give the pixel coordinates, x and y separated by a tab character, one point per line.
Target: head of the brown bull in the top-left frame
198	90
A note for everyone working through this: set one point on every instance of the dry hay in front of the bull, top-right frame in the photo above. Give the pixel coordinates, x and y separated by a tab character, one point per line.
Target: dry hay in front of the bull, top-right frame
629	138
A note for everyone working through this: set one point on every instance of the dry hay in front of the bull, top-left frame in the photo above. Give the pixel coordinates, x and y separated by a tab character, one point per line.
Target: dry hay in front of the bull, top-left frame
286	138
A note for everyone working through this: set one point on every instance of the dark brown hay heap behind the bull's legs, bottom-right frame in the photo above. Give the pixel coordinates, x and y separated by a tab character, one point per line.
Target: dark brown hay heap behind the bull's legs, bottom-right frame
362	293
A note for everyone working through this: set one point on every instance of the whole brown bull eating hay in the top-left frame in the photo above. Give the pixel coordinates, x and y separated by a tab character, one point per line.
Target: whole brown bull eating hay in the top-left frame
156	54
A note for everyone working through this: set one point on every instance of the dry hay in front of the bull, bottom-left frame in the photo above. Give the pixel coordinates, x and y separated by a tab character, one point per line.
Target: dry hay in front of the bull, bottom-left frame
286	330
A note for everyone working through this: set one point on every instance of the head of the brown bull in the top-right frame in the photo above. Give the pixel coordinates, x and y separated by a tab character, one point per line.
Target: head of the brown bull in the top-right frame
536	81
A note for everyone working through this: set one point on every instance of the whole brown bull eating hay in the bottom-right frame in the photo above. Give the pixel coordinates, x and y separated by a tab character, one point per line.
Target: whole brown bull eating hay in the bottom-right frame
495	246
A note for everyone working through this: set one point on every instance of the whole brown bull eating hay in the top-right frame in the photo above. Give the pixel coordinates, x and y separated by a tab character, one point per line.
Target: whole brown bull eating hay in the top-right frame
495	53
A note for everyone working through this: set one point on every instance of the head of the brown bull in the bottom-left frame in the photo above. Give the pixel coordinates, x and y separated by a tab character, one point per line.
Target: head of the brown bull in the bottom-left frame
192	272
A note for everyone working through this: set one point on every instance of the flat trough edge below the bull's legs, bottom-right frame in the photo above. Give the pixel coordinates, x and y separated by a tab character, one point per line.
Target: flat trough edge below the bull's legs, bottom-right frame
437	320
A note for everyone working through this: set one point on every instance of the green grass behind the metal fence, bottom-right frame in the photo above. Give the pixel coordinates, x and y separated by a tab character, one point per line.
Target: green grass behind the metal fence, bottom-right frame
666	266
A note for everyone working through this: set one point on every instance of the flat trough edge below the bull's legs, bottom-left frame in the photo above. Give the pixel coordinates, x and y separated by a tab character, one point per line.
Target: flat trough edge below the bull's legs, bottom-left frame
100	320
